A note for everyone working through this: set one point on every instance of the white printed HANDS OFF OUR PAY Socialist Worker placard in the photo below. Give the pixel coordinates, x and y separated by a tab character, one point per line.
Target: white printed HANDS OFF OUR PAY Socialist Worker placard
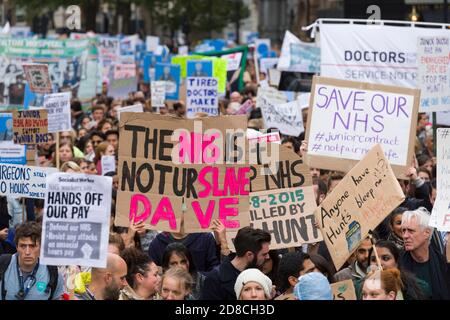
75	227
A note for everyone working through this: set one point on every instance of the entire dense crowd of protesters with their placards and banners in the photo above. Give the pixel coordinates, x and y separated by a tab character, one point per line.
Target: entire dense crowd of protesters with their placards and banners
100	209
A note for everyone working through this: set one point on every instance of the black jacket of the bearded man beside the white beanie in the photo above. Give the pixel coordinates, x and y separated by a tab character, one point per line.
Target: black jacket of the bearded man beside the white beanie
219	283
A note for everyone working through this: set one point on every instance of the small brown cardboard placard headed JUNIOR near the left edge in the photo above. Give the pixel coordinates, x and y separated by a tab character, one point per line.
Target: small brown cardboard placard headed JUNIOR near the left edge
30	126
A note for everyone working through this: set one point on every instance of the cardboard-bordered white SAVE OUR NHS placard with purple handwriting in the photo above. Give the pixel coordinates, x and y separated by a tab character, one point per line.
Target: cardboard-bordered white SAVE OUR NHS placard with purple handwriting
346	119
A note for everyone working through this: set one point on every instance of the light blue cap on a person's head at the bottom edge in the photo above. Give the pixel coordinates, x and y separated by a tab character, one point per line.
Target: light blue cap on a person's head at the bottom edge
313	286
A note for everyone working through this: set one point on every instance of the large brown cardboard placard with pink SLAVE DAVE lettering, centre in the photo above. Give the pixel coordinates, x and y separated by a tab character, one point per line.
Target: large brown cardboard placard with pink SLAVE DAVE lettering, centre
154	180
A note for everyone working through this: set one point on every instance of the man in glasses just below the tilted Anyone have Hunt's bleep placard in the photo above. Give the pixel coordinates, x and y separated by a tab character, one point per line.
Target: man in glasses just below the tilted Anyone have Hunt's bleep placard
358	269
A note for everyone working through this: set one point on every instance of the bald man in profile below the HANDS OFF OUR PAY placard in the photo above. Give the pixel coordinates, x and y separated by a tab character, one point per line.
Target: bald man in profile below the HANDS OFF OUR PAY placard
106	284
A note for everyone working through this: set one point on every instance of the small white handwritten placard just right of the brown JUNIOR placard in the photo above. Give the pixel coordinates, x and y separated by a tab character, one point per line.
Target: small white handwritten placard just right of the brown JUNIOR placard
58	108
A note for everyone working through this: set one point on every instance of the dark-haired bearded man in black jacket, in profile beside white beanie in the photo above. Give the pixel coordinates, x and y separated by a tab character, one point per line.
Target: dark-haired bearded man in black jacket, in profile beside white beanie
252	250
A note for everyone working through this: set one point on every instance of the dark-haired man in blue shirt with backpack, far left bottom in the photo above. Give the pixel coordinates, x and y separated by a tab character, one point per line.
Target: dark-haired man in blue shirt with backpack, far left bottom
22	277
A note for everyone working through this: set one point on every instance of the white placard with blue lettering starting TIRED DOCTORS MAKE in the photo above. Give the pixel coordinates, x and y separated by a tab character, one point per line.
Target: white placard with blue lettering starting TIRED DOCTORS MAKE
201	96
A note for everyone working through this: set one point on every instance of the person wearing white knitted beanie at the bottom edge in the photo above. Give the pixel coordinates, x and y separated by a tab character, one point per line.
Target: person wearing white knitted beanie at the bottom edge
252	284
